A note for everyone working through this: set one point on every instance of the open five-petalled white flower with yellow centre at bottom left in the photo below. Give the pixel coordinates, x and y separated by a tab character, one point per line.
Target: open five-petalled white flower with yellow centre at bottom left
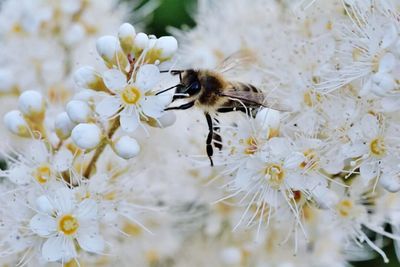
64	220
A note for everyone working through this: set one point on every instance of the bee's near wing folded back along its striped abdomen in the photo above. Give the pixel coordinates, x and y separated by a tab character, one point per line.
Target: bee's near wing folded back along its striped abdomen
257	99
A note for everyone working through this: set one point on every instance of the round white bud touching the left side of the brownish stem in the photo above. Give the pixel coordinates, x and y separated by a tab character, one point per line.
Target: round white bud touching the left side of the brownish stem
86	135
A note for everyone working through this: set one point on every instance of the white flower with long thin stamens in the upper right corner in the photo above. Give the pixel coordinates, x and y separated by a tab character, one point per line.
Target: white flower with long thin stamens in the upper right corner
366	52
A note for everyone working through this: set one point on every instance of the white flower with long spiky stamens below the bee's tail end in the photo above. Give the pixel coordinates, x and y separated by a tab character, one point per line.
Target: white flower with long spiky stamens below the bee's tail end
270	179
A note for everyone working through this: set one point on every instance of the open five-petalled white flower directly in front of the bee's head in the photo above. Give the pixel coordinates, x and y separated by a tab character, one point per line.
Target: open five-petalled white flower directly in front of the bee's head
132	100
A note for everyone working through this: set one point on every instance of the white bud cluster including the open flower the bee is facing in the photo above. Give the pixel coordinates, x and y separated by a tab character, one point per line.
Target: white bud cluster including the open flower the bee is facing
123	96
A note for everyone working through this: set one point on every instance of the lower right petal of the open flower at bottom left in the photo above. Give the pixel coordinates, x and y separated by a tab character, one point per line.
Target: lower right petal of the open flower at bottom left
89	239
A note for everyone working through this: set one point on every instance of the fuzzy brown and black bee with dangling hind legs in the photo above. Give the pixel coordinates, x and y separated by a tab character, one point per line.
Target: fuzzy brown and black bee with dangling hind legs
210	91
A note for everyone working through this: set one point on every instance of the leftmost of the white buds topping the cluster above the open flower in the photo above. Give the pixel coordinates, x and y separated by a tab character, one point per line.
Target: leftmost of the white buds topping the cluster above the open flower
109	49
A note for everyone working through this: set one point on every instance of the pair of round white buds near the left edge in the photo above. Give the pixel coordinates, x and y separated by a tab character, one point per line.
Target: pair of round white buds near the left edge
29	117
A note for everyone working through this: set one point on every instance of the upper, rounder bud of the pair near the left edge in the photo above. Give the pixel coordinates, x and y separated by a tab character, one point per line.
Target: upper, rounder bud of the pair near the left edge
31	103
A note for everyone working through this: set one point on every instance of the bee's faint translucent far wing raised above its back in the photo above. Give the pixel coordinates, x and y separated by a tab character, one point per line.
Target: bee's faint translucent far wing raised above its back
239	60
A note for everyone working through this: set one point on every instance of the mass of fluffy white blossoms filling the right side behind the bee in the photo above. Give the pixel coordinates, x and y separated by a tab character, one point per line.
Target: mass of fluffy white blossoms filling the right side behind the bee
327	167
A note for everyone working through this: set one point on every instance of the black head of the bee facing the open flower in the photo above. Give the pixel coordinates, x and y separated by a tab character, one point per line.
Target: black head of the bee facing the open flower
189	84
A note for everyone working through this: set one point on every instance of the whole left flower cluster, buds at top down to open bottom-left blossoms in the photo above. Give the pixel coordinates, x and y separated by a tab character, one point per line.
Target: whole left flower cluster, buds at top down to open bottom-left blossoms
67	188
